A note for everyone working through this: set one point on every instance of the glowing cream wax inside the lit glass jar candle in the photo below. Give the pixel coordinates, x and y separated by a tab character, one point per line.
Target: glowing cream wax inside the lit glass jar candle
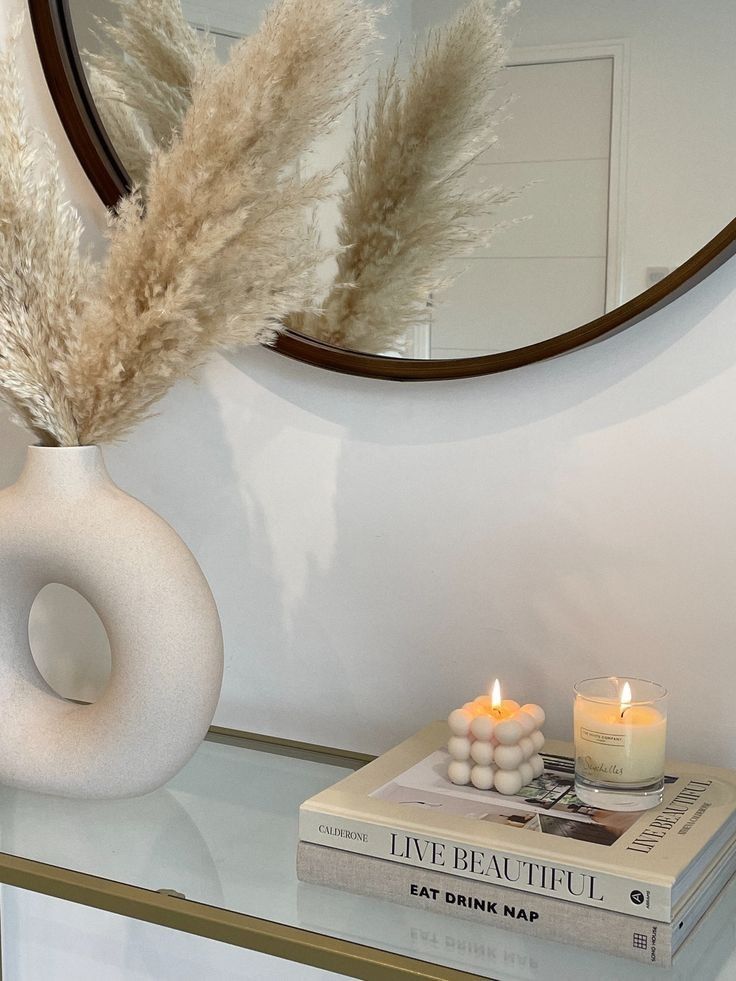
615	746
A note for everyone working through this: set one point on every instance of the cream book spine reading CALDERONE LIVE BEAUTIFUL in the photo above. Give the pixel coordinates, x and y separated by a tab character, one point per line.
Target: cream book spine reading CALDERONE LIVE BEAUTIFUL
541	876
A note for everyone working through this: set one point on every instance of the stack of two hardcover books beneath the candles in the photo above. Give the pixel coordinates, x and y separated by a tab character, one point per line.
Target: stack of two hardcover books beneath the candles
633	884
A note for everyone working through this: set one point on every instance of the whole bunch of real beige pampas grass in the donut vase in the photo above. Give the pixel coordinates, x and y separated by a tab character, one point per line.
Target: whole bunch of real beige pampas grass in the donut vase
221	252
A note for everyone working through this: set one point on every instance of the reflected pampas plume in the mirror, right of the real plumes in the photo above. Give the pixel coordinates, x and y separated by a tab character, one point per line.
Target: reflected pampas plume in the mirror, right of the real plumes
408	206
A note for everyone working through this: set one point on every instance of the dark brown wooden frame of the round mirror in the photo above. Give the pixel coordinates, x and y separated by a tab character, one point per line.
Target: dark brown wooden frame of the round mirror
65	76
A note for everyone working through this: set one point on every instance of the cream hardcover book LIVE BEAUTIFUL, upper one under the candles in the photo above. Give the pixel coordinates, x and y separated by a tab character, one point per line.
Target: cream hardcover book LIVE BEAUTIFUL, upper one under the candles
402	808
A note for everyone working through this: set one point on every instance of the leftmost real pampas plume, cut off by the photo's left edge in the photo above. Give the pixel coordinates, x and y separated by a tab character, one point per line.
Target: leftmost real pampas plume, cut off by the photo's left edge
42	278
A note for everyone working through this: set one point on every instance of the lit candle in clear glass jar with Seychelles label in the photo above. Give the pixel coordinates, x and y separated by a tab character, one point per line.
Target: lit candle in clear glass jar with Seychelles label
620	729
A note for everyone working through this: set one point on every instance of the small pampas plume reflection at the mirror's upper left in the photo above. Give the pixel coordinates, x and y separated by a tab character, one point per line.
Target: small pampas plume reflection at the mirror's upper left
150	59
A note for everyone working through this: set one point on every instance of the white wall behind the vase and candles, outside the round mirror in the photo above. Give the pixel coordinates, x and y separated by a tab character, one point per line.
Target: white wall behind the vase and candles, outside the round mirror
379	551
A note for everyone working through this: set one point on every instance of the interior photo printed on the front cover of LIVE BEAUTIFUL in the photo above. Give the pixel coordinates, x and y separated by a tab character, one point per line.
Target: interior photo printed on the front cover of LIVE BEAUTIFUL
547	805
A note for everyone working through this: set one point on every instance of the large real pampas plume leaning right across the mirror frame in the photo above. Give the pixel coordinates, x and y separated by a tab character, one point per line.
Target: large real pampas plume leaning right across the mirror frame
222	250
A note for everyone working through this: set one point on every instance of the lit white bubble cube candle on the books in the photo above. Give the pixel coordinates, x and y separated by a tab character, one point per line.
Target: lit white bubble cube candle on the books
495	743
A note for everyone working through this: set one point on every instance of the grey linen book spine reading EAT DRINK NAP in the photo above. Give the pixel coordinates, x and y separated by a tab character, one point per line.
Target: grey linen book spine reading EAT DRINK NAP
488	905
